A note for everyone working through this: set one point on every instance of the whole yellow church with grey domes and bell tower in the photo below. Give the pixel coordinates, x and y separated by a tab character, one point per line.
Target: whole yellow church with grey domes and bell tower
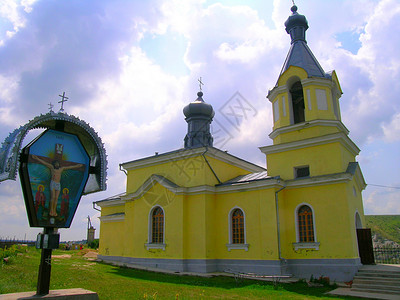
200	209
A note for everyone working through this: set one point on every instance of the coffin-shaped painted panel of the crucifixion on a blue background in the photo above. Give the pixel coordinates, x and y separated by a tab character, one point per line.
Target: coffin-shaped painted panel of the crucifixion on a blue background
58	170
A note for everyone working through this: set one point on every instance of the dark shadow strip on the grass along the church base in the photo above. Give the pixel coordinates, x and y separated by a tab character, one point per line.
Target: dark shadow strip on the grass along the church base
223	282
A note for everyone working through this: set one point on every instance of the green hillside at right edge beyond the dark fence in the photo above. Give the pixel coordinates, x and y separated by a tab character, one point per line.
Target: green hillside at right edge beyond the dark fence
386	226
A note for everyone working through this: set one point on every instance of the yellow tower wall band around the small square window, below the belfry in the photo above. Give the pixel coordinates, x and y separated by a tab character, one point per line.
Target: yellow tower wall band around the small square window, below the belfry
321	159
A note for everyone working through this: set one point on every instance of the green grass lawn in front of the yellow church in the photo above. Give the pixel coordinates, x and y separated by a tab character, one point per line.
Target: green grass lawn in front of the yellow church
111	282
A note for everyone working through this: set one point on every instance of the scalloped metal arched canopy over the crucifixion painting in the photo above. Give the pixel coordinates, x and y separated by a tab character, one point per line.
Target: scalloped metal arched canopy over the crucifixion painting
11	147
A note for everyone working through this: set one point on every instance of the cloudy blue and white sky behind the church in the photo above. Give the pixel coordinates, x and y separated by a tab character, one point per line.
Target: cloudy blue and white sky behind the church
130	67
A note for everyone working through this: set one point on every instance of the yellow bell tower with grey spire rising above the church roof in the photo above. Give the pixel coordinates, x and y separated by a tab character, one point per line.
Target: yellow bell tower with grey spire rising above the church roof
309	138
